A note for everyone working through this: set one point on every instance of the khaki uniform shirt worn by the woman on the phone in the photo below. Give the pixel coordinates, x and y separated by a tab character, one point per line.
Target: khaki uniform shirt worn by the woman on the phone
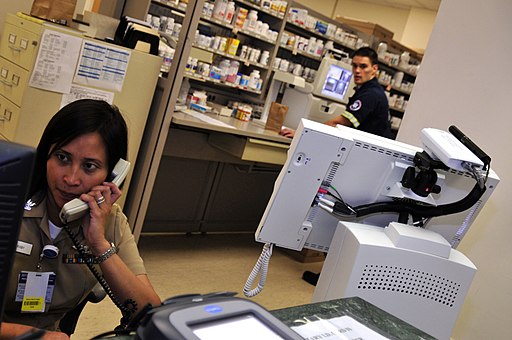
73	281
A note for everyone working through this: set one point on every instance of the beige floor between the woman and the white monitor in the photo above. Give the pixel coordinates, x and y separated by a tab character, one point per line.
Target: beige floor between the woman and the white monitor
181	264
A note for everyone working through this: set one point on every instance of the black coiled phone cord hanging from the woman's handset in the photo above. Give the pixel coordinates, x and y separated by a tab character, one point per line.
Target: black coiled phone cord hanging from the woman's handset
126	310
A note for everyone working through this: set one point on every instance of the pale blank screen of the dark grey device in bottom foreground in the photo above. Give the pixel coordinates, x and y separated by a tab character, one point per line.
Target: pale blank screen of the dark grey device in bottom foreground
245	327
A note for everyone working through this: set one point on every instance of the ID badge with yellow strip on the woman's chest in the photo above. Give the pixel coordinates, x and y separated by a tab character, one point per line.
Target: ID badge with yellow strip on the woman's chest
35	291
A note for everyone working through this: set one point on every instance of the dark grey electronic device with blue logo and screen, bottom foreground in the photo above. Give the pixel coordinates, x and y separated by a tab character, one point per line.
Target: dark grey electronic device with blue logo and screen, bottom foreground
210	316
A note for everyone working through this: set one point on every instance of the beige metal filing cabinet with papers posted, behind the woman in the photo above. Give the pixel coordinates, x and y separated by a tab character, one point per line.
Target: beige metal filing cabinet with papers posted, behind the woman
25	110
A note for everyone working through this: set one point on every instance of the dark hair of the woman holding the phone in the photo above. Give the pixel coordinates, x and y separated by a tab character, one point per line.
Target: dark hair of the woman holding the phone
74	120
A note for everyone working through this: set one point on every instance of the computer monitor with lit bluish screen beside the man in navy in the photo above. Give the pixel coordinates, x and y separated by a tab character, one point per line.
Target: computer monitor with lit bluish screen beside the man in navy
333	80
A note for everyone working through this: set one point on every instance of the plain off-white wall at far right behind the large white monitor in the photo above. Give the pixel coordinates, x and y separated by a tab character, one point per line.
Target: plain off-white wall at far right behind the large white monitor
464	80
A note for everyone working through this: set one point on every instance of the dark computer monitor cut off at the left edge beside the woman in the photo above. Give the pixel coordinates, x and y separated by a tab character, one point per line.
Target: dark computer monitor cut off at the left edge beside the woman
16	164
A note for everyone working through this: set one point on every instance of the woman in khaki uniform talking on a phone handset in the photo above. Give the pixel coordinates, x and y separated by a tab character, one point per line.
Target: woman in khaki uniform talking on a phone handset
55	262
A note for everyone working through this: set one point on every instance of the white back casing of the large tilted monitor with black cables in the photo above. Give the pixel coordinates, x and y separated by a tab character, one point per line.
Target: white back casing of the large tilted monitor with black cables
357	168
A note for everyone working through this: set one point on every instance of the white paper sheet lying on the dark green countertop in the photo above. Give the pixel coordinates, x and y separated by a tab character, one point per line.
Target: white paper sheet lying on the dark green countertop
343	327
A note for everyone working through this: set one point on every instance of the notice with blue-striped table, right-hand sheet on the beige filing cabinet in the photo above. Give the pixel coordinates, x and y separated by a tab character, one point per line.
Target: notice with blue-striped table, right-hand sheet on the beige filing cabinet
102	65
